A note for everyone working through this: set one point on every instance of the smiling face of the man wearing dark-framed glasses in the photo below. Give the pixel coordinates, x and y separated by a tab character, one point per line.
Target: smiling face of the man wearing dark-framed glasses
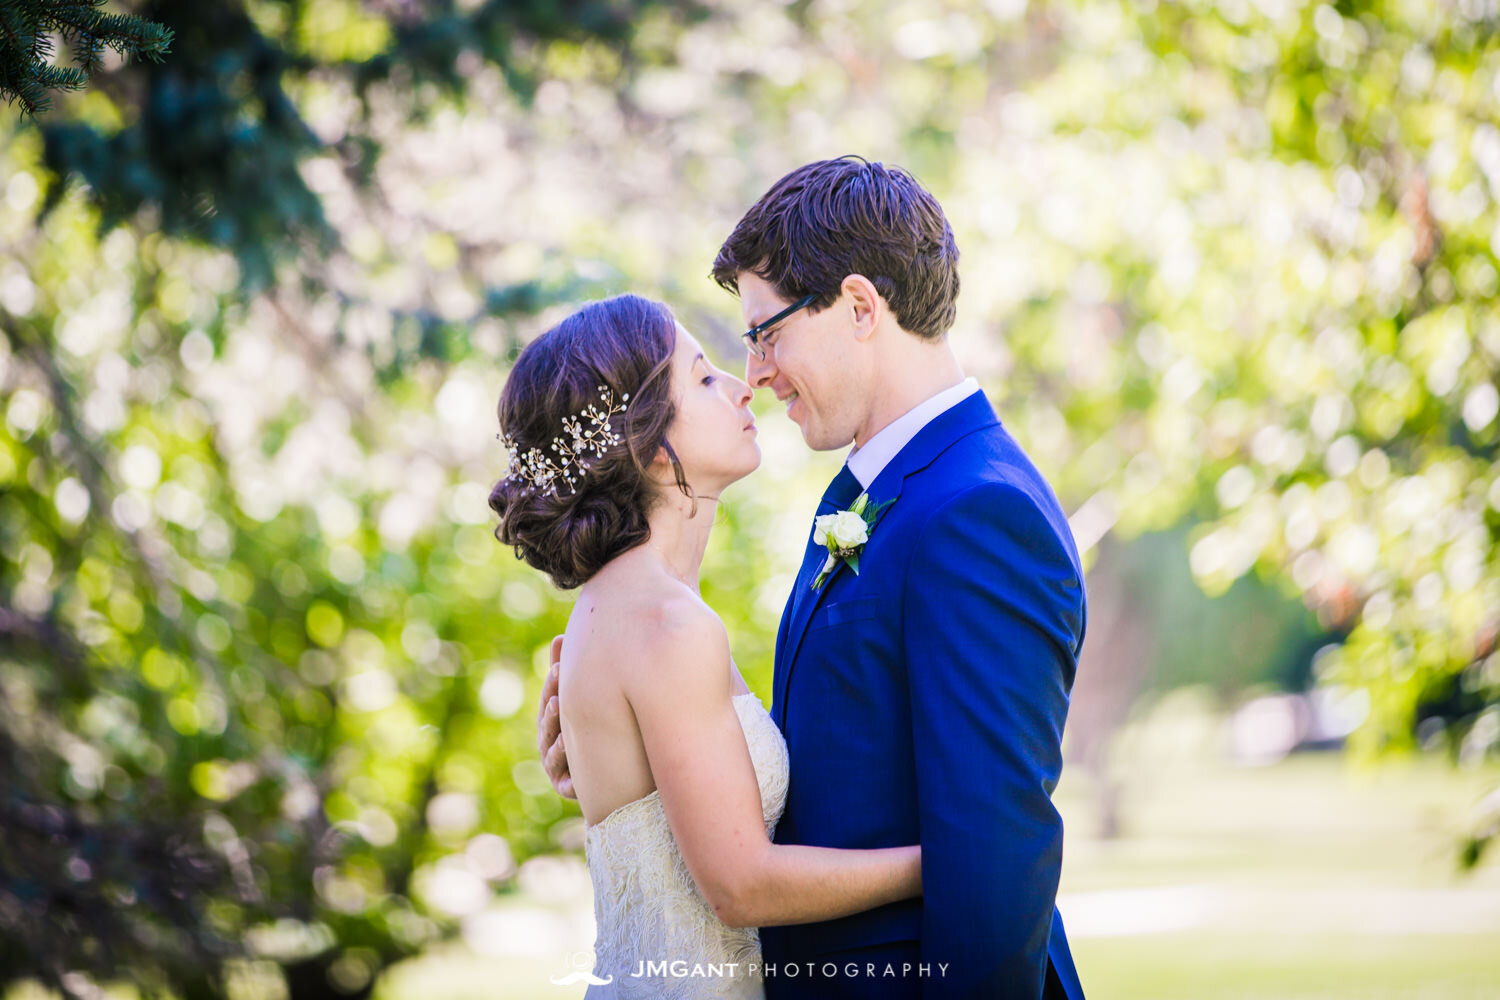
812	364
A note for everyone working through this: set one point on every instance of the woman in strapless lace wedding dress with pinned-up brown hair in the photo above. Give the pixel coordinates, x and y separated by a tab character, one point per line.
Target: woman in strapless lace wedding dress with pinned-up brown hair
622	437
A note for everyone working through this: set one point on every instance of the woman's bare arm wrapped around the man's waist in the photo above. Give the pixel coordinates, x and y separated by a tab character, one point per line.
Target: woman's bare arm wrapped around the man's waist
680	689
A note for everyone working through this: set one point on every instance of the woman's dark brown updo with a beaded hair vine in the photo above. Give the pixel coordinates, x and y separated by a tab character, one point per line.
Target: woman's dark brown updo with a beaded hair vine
625	344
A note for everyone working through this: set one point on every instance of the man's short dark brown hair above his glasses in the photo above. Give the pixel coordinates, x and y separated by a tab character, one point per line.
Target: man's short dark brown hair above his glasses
850	217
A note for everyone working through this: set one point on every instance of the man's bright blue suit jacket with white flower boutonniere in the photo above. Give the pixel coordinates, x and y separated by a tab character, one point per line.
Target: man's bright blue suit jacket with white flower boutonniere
923	701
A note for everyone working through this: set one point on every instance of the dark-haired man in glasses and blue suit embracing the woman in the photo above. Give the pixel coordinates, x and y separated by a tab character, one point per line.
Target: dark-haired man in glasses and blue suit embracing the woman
923	698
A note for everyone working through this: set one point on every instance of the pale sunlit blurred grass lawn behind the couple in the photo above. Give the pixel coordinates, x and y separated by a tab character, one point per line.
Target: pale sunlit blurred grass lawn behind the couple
1309	879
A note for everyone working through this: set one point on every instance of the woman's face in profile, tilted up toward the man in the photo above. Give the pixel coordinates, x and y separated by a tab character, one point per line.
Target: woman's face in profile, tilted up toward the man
713	433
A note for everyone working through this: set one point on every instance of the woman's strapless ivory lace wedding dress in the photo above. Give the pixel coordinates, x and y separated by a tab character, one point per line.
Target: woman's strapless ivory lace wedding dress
649	909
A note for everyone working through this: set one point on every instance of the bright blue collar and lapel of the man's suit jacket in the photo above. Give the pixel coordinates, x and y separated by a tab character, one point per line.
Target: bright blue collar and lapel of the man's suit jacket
962	419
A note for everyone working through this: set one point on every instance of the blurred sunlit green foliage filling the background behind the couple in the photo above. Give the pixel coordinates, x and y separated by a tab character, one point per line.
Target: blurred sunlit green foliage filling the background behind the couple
266	675
